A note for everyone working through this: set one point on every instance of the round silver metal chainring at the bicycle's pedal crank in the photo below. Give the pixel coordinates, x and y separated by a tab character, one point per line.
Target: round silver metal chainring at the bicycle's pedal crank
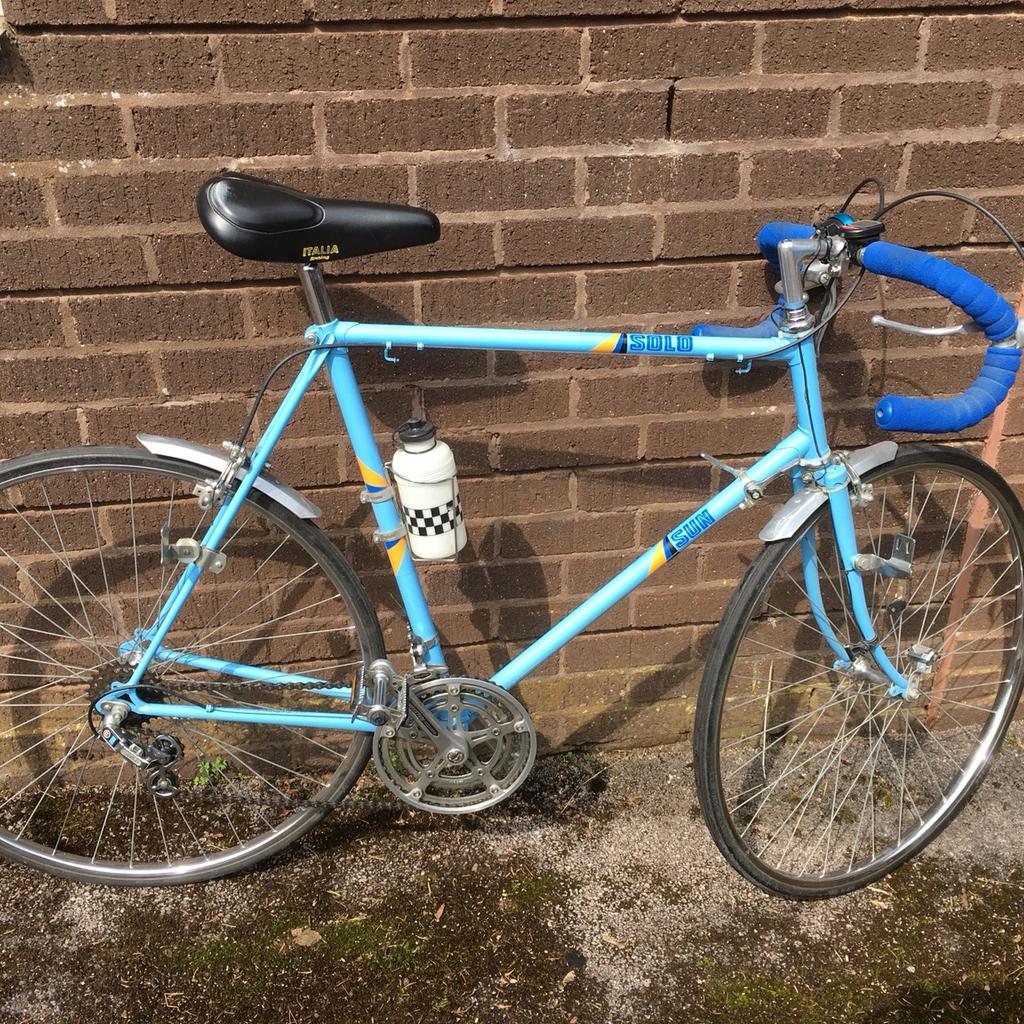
501	744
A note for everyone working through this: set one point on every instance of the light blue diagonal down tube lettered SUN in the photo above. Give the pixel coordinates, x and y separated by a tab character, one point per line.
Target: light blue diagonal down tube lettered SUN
784	457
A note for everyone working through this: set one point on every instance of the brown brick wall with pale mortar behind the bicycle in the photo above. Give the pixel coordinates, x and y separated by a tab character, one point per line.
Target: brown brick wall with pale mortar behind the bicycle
602	163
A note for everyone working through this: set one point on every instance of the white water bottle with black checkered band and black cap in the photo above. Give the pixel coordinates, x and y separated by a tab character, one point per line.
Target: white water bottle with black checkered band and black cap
423	470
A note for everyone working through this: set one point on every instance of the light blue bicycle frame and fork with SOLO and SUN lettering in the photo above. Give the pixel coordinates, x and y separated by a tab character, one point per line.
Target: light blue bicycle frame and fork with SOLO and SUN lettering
805	446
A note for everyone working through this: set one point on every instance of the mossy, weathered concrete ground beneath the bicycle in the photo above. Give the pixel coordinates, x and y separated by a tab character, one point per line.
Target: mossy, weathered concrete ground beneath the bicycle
598	897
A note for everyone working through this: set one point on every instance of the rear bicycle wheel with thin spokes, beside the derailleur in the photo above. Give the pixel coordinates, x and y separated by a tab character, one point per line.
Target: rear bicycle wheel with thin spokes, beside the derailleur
80	572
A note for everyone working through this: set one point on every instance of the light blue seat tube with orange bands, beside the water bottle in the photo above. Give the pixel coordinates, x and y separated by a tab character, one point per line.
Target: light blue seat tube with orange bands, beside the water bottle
380	496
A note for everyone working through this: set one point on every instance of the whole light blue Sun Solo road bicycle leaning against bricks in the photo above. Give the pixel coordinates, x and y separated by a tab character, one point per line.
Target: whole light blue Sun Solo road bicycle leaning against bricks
197	676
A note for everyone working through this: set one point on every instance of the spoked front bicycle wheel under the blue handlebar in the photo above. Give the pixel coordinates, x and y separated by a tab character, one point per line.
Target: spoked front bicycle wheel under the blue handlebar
814	781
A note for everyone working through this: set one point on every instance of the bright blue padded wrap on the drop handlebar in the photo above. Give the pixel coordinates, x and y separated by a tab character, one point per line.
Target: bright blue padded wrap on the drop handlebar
979	302
